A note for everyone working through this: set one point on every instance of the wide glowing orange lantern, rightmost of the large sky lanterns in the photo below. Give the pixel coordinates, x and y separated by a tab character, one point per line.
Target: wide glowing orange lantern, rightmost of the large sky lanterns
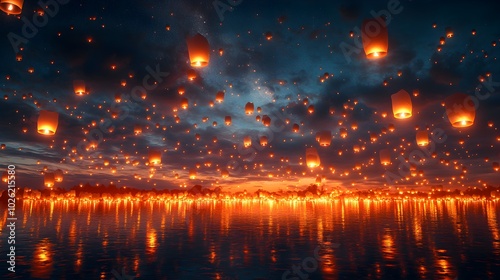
460	109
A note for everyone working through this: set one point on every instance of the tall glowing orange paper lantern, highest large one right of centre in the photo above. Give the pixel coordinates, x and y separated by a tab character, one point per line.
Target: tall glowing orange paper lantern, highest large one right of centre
375	38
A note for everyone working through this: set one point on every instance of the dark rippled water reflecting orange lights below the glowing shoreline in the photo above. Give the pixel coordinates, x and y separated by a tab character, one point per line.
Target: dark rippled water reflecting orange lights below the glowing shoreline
255	240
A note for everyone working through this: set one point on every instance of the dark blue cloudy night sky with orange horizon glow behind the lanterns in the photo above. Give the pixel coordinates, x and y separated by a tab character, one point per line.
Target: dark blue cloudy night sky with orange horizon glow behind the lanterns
272	53
